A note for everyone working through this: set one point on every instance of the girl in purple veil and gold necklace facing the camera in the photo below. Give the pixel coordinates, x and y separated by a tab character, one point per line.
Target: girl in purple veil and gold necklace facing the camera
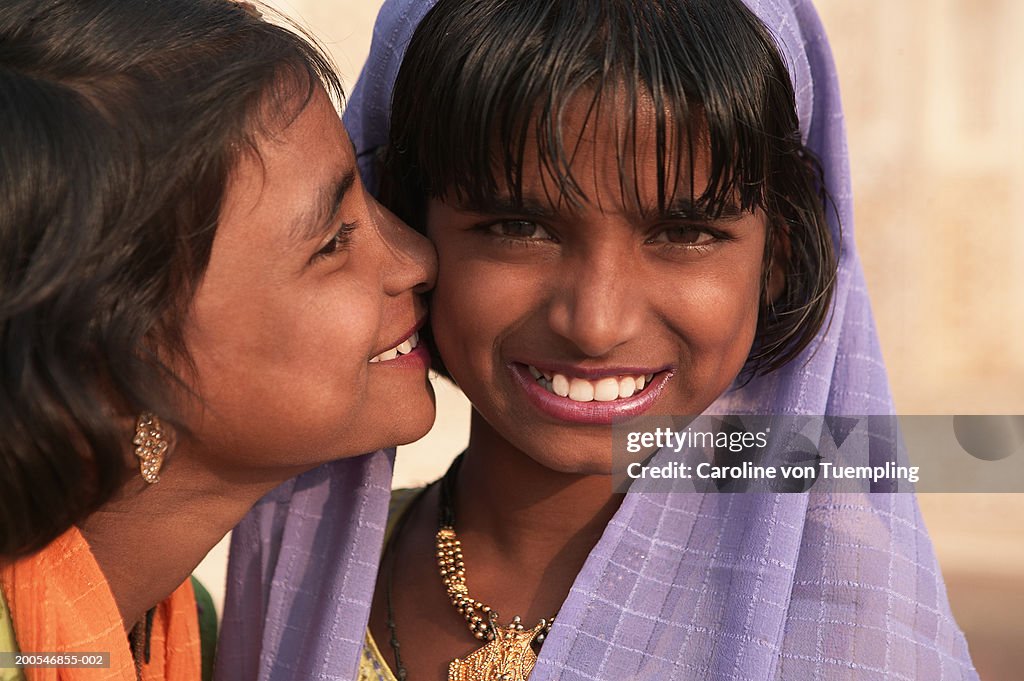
639	208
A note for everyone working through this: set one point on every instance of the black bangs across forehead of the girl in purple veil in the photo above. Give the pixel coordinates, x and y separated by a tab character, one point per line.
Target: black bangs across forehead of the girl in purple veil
485	81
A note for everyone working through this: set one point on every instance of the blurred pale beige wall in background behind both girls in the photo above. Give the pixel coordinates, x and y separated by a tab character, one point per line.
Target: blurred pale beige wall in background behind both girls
934	97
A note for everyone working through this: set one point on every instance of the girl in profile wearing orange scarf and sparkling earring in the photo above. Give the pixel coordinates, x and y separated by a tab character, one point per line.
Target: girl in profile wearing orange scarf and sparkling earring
199	300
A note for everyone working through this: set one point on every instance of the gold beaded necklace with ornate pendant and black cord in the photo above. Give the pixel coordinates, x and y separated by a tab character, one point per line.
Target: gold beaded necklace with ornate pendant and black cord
508	655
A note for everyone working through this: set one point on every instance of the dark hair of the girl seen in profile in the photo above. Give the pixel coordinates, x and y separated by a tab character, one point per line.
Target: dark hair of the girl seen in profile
120	124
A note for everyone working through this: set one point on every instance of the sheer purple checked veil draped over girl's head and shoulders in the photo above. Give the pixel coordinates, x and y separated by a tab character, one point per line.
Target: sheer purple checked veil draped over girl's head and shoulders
681	586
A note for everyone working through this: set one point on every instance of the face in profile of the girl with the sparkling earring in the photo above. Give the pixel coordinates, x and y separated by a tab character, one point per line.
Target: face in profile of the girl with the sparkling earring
310	281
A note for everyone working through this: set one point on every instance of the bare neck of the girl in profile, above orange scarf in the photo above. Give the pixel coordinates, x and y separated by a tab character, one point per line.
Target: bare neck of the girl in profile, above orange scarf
150	539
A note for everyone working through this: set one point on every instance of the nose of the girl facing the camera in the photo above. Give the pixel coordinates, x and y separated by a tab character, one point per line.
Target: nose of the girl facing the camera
599	306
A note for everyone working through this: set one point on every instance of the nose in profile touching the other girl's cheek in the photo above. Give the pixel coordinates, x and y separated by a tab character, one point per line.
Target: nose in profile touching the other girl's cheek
413	263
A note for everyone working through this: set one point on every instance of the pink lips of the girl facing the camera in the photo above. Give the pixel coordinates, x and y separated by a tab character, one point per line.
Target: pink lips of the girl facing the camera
592	413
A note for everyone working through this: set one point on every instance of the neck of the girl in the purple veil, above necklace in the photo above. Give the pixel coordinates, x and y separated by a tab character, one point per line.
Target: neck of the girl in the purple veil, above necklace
517	517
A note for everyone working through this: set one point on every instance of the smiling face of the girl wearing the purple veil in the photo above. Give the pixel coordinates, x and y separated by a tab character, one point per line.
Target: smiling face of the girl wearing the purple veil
556	320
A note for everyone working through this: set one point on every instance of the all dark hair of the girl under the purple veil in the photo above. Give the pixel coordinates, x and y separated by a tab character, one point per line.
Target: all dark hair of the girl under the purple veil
484	79
